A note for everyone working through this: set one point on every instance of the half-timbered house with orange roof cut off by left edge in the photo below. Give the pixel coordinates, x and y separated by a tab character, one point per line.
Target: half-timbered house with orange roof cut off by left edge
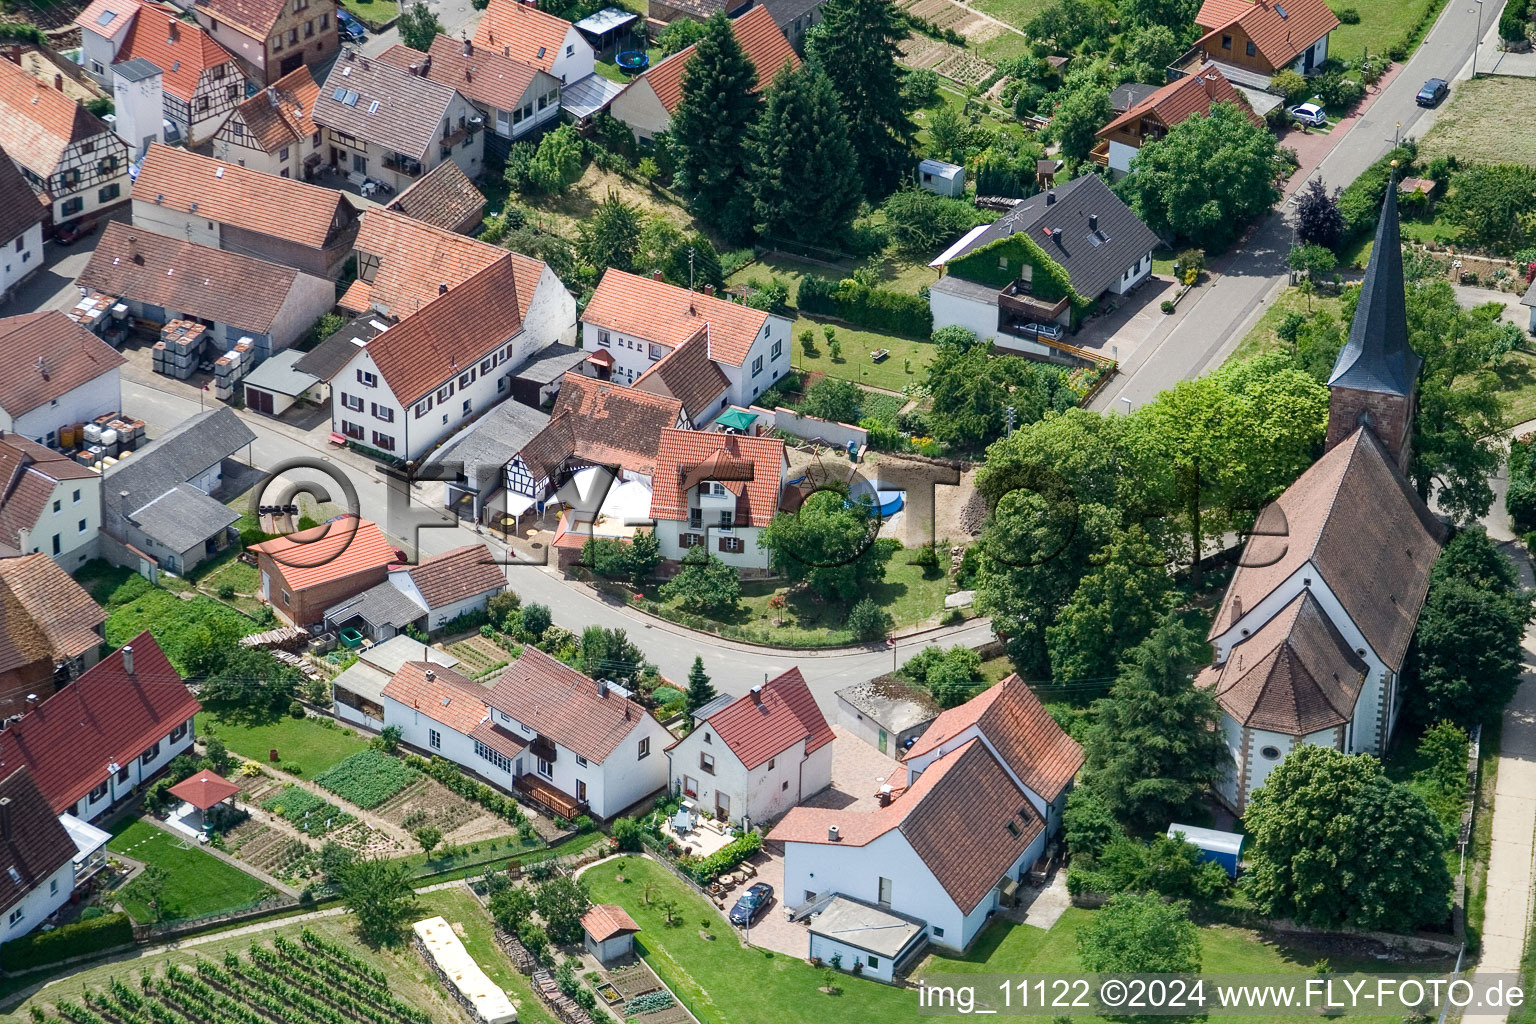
70	157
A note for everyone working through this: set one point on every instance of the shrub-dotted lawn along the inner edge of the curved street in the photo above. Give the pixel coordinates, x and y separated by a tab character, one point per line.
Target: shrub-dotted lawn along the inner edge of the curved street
909	593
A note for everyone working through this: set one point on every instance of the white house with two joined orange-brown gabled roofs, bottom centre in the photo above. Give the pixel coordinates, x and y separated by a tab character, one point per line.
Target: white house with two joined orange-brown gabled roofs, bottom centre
984	794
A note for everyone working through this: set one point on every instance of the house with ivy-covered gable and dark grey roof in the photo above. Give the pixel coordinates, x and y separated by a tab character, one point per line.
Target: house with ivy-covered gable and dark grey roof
1030	277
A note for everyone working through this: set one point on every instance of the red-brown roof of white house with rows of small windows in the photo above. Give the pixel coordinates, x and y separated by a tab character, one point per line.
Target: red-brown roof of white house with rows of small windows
451	334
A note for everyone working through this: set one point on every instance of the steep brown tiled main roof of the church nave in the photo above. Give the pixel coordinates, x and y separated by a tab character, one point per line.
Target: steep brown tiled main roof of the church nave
1363	527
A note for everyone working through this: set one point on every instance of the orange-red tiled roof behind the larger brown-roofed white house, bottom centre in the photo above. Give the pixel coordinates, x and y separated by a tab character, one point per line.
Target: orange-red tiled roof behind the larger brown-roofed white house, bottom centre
1019	728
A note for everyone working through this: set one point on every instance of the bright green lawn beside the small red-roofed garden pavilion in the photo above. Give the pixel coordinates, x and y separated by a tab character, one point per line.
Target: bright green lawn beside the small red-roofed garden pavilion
197	885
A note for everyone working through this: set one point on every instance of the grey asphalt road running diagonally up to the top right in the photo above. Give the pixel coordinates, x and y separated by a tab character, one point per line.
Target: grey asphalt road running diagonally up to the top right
1203	335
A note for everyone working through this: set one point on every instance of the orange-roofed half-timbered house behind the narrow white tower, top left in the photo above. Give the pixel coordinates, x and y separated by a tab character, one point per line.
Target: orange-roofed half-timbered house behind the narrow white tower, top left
200	81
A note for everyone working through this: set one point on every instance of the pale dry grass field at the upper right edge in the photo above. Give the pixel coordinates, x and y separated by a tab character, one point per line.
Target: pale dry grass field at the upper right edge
1486	121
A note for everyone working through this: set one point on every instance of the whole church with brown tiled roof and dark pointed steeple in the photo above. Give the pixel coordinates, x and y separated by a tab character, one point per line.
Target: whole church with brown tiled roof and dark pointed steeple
1313	633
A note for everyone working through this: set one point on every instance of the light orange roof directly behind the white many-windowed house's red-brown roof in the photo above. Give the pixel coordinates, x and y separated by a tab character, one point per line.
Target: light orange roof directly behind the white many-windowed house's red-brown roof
417	257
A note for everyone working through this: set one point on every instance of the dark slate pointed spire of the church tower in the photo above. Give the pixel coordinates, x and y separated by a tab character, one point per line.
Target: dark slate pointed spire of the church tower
1377	357
